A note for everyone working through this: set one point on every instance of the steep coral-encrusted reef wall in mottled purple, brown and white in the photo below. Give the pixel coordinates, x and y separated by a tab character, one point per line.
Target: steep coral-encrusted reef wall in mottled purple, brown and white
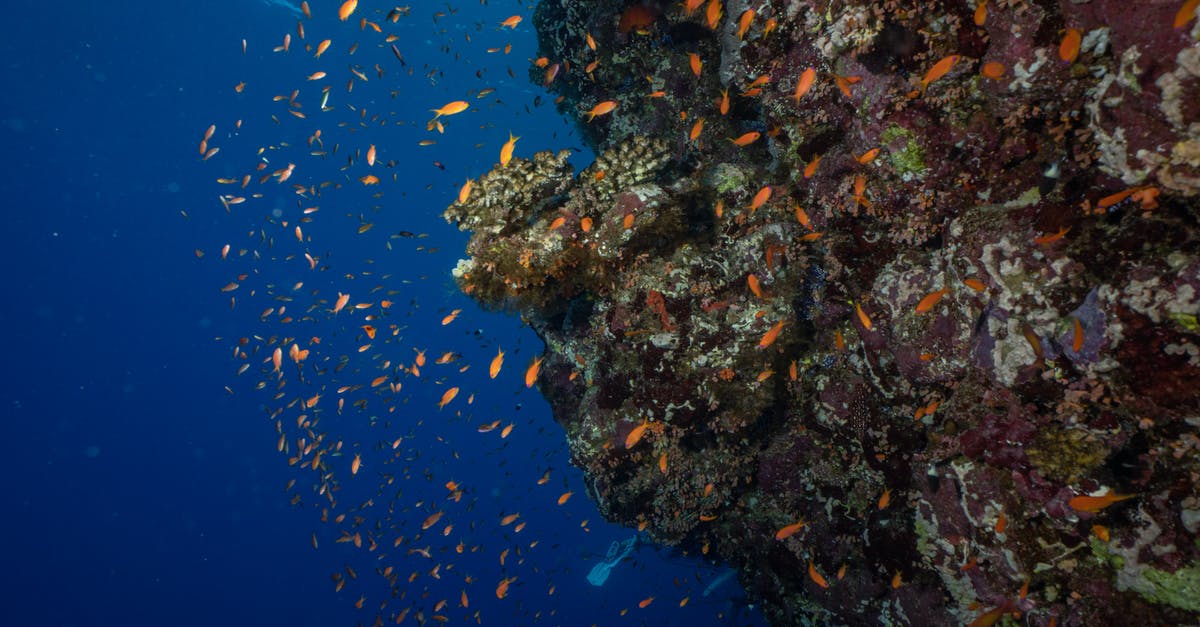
891	306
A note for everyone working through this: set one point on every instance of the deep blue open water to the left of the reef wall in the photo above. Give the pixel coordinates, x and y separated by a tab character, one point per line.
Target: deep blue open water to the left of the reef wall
143	481
